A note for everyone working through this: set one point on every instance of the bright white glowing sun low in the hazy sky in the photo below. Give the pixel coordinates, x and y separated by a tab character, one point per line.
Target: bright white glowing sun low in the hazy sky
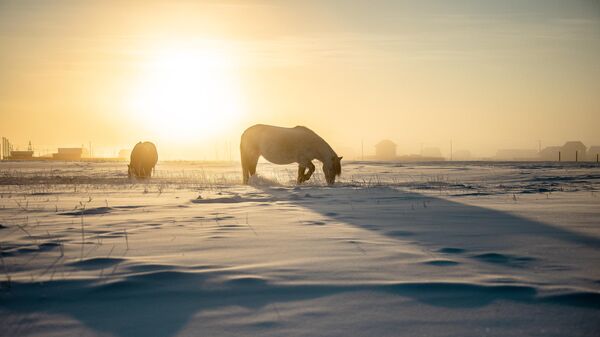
187	93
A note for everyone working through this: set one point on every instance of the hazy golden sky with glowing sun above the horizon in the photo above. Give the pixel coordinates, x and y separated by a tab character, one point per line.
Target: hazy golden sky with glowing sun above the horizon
192	75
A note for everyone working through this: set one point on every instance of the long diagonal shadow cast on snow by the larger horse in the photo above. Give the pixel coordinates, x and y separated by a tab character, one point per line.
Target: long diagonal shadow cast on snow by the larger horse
426	219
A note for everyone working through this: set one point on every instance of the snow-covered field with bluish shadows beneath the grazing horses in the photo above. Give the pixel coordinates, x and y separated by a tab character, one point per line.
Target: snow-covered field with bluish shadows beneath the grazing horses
439	249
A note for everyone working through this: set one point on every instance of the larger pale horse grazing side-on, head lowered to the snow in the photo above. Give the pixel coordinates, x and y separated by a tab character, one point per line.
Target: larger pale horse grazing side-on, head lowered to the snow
285	146
